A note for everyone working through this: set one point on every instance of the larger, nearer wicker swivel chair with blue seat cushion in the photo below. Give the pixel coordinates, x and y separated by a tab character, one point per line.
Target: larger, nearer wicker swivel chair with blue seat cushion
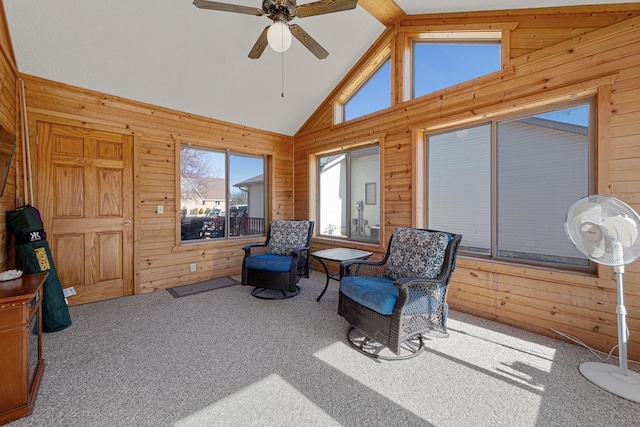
391	303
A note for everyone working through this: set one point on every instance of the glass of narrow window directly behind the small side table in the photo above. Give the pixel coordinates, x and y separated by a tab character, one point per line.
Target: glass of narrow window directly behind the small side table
349	194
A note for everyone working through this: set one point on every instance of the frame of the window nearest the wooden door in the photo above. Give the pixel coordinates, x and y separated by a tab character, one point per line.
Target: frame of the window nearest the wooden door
203	145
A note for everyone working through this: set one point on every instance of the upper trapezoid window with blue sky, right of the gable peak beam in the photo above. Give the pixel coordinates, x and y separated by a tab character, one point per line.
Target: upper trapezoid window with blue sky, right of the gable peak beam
442	62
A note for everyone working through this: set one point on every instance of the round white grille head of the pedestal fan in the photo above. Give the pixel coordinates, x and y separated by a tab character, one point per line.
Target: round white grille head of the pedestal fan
604	229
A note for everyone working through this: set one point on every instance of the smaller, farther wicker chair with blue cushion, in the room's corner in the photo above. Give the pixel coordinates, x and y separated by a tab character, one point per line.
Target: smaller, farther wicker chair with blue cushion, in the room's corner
279	262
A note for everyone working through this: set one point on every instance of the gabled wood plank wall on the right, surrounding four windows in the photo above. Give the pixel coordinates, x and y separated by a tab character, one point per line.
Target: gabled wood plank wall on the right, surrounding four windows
587	51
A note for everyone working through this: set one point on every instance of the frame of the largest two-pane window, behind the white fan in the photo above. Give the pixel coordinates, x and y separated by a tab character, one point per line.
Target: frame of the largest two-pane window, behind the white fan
494	191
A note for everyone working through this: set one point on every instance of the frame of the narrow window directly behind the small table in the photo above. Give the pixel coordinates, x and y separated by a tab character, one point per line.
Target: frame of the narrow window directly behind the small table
317	170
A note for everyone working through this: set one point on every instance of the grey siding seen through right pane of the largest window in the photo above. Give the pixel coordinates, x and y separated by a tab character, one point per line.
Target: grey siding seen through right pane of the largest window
542	171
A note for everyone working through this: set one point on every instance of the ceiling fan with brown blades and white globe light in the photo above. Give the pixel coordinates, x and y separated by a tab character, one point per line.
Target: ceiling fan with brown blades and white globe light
278	35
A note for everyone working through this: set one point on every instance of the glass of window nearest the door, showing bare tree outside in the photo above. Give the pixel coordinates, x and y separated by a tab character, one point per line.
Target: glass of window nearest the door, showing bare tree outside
222	195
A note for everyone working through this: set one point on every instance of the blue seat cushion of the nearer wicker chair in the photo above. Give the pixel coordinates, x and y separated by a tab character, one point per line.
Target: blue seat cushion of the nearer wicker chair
375	293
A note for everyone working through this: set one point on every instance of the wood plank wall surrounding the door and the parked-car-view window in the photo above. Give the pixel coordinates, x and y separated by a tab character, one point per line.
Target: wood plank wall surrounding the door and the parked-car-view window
159	263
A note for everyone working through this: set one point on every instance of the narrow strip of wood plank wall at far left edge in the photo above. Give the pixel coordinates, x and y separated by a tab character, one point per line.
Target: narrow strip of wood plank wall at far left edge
9	121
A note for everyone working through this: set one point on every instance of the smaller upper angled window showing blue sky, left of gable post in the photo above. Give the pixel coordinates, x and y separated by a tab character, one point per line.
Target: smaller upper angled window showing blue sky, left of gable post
373	95
